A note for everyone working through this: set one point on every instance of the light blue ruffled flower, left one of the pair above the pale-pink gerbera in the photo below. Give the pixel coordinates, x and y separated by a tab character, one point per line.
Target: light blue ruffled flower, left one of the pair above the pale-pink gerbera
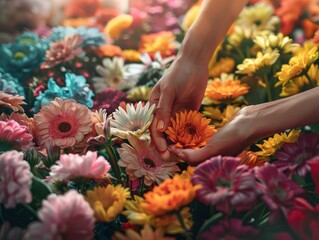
53	91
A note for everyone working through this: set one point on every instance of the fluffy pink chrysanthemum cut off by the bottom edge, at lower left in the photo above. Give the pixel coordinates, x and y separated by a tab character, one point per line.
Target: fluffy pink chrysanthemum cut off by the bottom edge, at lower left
66	217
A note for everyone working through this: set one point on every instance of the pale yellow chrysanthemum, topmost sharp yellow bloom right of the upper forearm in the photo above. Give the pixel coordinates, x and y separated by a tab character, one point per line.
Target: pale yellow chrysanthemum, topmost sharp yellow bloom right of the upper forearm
267	39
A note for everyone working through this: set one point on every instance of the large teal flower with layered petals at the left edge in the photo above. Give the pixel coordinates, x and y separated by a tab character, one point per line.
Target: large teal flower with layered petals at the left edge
23	56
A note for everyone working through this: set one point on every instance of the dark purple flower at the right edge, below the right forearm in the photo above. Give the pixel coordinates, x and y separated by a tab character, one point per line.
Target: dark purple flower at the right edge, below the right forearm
293	158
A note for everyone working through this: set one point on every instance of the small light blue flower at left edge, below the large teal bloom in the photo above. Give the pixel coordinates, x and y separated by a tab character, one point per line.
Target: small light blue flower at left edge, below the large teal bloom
10	85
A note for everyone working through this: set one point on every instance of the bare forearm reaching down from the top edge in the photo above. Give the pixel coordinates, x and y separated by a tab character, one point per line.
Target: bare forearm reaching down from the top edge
209	28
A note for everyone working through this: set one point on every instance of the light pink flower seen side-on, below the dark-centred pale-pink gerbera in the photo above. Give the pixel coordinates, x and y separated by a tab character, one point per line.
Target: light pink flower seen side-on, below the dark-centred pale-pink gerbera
71	166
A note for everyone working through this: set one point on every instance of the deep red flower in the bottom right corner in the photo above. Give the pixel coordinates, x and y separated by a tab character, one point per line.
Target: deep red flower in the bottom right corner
304	219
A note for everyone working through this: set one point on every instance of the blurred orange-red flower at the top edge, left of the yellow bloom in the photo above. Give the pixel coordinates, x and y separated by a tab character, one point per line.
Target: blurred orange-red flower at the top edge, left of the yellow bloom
82	8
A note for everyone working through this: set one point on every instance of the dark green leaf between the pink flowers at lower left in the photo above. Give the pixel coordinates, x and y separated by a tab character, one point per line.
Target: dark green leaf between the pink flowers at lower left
40	191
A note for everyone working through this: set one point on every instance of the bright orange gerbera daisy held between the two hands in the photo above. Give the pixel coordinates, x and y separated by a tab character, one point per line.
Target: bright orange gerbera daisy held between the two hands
190	130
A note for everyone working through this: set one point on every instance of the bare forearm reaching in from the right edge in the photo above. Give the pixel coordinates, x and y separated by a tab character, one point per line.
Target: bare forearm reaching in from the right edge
288	113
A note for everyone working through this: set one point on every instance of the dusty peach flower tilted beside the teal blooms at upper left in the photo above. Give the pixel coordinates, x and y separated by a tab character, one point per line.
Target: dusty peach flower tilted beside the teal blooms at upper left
63	51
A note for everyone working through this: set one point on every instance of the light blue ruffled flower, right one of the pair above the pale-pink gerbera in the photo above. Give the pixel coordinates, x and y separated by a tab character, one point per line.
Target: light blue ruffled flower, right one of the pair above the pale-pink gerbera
78	89
